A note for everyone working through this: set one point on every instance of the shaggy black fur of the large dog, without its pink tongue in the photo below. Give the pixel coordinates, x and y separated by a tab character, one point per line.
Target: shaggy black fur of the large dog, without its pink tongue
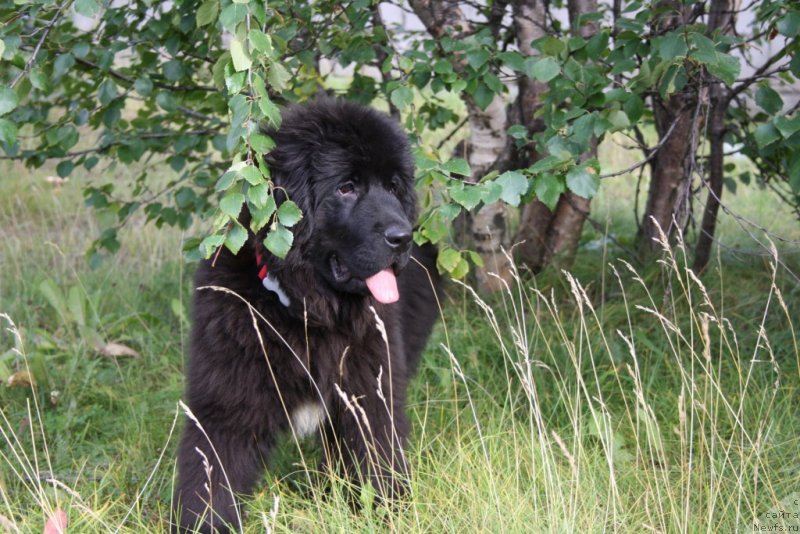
253	361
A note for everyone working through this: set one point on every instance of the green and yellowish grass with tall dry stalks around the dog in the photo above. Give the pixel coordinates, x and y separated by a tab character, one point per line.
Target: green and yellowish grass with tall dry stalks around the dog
614	398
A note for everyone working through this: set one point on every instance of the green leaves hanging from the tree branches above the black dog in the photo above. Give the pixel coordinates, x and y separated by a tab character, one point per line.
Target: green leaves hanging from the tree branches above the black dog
190	85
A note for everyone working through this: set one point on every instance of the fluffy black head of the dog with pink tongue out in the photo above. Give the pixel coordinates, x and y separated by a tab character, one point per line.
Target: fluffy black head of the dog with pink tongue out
350	170
